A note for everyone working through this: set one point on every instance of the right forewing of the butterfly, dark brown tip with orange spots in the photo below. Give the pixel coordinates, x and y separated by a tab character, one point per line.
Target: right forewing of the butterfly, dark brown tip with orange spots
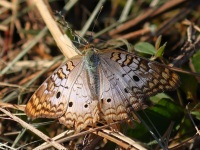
143	77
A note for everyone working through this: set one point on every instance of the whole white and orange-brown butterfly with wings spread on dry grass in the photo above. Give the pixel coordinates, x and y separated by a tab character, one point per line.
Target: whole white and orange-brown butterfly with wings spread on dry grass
99	85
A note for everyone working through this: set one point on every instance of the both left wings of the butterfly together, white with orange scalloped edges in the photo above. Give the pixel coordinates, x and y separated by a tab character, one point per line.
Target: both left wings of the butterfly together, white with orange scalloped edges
65	95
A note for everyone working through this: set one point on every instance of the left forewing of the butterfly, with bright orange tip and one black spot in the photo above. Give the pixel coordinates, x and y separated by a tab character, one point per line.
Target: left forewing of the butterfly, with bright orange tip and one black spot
50	100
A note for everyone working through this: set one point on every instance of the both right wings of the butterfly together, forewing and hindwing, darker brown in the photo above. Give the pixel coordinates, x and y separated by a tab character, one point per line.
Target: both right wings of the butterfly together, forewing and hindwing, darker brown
127	80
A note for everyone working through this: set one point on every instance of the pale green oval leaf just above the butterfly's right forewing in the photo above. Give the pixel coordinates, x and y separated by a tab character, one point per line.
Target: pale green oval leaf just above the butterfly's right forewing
146	48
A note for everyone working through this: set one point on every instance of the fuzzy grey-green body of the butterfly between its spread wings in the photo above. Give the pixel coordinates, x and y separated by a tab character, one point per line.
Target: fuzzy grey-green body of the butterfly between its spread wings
91	60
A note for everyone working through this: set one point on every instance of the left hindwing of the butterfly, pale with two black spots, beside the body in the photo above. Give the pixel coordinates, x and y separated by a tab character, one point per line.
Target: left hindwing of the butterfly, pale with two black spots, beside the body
83	106
